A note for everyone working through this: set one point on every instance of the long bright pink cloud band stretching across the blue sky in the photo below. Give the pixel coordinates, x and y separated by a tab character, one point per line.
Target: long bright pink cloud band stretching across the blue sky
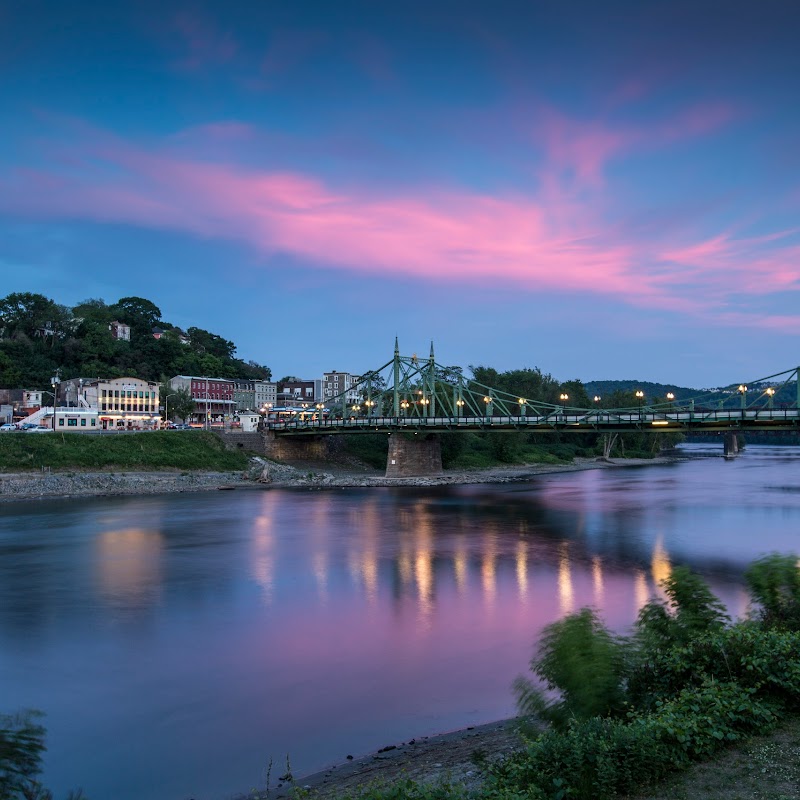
551	241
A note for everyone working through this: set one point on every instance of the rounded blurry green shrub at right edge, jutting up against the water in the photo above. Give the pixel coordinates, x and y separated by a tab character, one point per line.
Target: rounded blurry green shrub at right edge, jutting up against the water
774	583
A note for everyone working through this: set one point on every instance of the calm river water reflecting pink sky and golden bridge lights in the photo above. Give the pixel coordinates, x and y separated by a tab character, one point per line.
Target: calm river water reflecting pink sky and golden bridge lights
179	642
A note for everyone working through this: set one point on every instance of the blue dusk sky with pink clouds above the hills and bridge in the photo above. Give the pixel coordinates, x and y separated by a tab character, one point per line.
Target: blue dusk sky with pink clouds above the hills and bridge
600	190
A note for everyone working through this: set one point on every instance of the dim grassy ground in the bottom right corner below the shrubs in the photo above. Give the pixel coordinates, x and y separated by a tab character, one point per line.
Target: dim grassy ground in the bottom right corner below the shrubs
764	768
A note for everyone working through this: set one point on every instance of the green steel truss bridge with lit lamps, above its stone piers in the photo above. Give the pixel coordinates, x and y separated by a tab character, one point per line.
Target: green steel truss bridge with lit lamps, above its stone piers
413	395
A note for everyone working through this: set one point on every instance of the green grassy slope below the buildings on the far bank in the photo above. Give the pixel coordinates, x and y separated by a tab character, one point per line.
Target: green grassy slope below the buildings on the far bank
187	450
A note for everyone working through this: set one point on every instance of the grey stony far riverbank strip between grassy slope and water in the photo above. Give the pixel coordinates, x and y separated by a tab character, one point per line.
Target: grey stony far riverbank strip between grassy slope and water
263	474
